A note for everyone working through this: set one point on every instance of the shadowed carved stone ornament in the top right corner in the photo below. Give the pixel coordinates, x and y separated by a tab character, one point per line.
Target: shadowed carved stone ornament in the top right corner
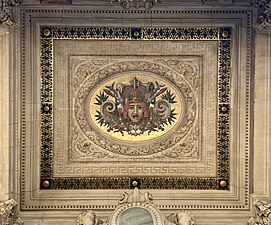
264	13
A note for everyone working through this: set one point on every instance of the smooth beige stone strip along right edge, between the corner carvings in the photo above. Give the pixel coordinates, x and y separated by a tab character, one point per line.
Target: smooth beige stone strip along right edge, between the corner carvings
262	100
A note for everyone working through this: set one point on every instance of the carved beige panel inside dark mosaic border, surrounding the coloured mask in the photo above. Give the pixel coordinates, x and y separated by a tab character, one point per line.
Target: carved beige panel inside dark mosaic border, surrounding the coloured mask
85	142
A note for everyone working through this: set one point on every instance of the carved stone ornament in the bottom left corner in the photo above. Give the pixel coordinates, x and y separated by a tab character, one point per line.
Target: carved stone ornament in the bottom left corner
8	213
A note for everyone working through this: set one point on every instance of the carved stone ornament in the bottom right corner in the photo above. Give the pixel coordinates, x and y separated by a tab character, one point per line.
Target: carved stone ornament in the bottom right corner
263	213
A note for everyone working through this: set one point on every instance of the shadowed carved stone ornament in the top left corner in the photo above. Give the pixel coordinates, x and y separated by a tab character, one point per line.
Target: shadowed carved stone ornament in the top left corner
6	12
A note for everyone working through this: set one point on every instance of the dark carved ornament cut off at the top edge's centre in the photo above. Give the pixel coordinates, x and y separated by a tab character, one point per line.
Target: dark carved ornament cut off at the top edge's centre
147	4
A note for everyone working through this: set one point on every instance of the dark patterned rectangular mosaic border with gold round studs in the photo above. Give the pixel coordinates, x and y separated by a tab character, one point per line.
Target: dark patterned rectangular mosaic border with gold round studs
220	34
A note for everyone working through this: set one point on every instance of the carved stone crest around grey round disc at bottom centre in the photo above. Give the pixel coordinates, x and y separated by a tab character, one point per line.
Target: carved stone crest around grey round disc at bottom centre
137	208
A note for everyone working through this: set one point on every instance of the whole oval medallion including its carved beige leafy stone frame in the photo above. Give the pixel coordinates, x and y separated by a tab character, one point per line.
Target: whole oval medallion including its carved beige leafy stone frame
130	108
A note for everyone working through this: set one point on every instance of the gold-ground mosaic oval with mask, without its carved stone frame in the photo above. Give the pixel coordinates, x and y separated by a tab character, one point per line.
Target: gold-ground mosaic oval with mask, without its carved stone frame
135	107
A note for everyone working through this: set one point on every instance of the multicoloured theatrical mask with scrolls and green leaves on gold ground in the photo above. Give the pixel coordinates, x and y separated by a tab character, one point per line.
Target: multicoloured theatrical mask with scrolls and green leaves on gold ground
135	108
